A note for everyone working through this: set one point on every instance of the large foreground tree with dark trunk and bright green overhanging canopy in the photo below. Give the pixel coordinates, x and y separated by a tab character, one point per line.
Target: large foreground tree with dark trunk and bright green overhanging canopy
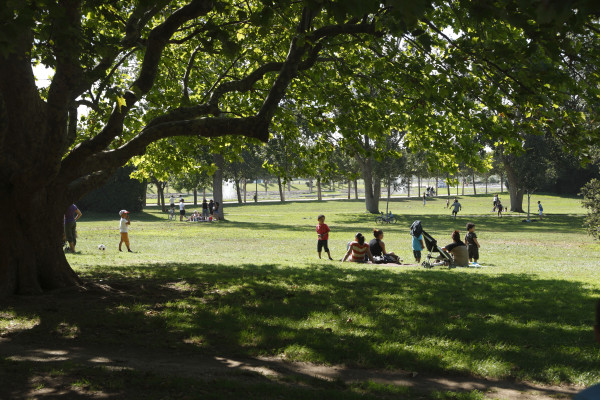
447	72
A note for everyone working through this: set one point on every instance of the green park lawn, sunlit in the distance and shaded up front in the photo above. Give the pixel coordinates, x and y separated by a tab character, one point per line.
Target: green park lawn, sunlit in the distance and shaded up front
253	286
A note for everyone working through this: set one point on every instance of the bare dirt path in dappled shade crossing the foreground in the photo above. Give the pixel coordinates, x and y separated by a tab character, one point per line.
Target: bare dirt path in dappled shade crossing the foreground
177	363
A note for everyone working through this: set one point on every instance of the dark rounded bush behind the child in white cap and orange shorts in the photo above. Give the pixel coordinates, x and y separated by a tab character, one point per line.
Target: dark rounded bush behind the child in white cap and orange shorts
120	192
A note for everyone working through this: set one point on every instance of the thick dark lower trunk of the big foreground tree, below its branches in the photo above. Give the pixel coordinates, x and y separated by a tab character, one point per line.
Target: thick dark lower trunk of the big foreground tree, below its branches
31	255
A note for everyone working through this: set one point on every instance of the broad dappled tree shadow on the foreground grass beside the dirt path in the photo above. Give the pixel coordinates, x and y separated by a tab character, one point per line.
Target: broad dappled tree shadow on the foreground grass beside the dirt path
505	326
